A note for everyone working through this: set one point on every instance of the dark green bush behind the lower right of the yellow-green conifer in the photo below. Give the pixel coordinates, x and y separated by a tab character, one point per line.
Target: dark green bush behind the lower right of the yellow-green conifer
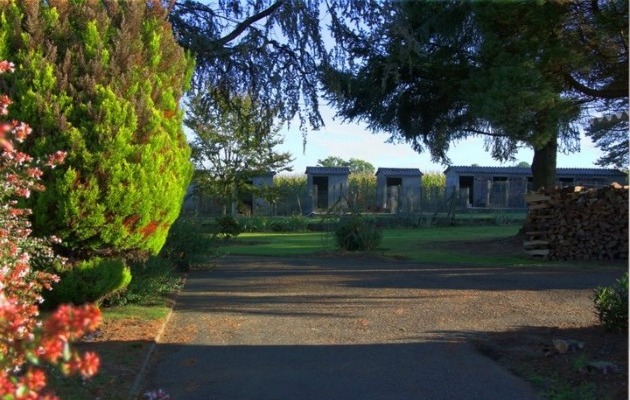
188	242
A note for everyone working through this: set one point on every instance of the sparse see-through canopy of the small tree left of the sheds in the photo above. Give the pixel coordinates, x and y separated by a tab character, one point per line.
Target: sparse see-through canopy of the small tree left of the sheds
234	142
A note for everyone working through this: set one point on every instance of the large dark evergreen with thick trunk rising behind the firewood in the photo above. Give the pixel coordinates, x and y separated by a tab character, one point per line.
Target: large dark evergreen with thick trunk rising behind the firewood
431	73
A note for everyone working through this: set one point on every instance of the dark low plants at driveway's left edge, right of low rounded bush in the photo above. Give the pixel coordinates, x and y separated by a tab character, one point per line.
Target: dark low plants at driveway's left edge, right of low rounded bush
153	280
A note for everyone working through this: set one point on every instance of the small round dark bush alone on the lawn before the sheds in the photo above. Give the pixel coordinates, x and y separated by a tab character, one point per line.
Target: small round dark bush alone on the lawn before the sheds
358	233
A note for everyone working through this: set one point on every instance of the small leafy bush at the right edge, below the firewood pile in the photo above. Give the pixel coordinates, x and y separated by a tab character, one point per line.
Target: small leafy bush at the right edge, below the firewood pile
611	305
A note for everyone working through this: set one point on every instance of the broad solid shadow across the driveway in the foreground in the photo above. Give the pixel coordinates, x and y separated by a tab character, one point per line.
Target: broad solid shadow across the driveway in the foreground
430	371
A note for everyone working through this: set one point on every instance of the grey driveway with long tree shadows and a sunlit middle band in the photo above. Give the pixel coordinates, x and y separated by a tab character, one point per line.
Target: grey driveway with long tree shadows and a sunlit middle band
356	328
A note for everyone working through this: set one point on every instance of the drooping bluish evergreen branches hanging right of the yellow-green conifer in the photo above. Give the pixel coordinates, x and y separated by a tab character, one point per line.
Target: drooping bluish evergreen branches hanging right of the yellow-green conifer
268	50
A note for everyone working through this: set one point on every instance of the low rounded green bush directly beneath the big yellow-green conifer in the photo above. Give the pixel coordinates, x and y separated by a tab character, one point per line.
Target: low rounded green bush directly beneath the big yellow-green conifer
90	281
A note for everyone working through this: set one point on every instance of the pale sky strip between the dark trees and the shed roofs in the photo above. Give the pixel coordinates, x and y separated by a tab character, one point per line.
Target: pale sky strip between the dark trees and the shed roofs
354	140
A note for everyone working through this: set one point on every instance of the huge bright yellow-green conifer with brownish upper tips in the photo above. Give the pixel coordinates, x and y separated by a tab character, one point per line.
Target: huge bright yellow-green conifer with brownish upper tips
102	81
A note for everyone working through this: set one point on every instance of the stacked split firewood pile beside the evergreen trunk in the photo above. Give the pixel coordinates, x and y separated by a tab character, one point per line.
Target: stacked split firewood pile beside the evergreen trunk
578	224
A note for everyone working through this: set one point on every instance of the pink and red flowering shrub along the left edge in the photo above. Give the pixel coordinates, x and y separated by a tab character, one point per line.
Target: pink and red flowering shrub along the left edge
26	342
